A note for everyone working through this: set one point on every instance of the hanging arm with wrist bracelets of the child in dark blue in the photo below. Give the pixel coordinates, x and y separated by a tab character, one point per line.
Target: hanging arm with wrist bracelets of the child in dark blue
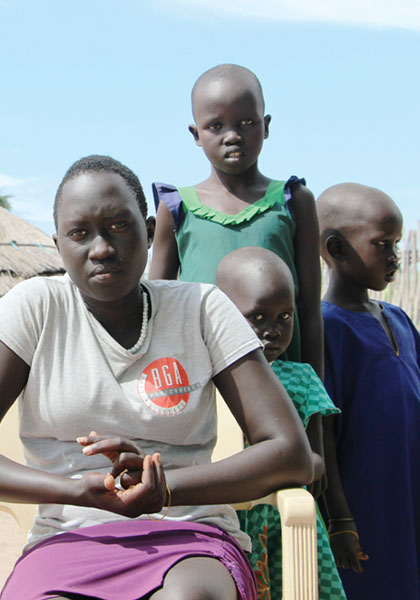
342	528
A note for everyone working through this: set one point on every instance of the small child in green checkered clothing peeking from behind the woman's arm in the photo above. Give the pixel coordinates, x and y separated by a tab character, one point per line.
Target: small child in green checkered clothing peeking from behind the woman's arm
261	286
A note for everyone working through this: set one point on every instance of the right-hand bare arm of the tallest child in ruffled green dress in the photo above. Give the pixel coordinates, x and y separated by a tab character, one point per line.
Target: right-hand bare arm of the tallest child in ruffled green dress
308	269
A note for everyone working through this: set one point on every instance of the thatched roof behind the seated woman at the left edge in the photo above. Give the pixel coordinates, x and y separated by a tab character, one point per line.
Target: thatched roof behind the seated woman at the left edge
25	251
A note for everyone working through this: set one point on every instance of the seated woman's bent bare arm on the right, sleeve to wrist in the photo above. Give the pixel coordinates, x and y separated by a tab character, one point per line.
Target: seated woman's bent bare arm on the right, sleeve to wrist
279	455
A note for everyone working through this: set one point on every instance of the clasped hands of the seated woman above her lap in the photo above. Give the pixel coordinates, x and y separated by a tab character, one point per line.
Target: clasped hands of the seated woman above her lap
142	478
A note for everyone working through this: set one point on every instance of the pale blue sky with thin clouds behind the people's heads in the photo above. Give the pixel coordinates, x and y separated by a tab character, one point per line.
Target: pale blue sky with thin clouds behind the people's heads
94	76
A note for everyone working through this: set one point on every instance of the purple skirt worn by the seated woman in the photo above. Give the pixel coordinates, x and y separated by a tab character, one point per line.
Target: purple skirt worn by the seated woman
123	560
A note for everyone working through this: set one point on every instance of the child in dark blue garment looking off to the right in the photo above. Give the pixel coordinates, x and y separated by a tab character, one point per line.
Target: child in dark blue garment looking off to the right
372	373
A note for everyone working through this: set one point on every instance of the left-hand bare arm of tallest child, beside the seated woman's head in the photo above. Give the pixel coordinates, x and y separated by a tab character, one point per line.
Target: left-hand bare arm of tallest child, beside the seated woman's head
165	259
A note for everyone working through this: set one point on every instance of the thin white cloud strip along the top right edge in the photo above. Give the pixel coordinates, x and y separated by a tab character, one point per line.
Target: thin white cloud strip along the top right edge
368	13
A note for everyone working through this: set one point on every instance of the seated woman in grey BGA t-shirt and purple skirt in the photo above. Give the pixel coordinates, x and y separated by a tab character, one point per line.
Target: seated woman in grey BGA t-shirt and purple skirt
116	378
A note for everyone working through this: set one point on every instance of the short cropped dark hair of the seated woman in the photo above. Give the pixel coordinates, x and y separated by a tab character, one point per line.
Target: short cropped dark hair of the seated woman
98	163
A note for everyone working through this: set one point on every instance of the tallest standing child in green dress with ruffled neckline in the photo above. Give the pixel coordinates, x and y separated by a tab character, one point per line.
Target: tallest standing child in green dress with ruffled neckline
238	206
